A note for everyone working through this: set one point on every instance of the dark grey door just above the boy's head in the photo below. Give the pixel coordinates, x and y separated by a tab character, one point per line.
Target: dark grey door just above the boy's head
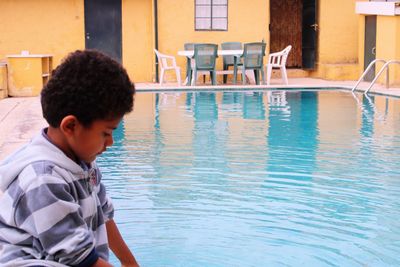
103	27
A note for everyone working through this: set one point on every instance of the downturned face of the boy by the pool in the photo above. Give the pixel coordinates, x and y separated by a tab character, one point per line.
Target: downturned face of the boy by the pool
89	142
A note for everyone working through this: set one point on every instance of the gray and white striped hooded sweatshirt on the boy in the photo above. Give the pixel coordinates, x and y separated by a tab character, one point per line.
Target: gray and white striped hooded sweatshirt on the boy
52	210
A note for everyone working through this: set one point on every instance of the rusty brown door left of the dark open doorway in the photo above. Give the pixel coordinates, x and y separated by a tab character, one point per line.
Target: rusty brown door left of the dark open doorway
286	29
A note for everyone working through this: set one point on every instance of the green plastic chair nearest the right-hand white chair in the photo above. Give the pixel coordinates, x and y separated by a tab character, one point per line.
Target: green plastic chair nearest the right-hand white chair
253	59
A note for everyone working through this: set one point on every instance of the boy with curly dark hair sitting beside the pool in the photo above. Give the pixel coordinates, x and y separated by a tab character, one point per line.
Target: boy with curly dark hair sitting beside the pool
54	210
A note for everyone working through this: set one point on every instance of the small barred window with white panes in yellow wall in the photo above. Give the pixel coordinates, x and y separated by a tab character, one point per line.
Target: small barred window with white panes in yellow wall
211	15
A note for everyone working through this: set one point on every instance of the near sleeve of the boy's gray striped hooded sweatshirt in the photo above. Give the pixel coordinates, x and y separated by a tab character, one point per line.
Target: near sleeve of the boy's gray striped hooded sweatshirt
48	211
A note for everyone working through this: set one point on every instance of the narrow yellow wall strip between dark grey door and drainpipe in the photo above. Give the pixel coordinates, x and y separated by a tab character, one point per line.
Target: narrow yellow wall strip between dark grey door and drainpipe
137	39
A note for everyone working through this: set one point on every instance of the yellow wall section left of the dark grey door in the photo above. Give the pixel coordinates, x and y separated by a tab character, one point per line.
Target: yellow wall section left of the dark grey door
41	27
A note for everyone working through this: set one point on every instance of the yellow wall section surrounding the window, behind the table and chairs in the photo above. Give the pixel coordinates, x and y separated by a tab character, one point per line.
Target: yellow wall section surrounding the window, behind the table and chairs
246	23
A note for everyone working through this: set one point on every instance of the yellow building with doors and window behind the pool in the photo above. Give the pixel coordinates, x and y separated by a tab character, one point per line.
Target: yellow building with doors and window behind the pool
327	36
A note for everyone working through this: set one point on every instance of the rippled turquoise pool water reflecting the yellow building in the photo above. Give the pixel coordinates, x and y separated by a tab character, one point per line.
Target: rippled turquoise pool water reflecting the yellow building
296	178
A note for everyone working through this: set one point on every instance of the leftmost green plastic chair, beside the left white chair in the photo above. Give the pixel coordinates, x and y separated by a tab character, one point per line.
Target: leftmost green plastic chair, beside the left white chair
205	56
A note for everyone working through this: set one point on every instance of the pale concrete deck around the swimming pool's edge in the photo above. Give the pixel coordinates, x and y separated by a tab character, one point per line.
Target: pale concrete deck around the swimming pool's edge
21	117
